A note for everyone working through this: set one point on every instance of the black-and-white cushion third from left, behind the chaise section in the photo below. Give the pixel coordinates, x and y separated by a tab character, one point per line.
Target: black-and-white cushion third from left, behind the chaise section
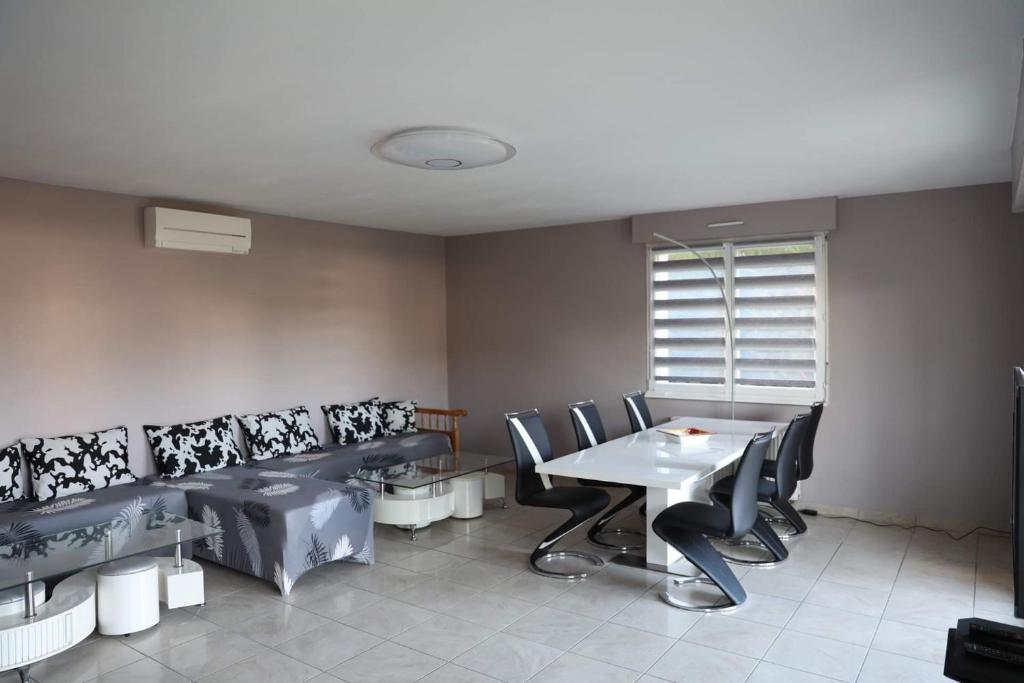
197	447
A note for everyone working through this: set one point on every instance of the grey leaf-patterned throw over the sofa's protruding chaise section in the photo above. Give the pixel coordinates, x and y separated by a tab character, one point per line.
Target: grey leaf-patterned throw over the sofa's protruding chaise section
278	526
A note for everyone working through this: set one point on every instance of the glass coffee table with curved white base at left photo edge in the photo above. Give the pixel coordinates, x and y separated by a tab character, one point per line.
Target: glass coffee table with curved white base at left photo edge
32	627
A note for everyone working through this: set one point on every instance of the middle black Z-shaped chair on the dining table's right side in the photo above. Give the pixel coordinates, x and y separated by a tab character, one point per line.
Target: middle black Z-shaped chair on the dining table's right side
771	492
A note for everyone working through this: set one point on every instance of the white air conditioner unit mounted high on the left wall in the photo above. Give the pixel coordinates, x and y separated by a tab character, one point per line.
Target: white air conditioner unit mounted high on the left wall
192	231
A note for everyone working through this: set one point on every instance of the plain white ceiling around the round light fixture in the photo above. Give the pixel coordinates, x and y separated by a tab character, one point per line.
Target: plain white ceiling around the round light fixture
616	108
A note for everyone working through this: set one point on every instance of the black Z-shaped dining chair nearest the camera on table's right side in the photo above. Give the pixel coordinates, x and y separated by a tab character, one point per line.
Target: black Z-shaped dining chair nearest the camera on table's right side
688	526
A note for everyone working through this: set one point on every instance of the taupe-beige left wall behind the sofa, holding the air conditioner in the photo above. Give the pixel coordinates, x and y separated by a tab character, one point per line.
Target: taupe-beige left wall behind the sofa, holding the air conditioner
99	331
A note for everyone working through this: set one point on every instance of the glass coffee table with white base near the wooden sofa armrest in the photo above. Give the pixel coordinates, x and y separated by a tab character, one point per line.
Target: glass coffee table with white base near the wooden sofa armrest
414	494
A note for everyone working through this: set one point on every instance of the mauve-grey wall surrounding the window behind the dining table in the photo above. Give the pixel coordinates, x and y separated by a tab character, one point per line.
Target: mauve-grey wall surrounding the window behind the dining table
925	290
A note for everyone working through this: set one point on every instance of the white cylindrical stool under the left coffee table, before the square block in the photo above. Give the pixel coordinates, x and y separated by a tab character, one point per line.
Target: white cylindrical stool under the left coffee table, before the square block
127	596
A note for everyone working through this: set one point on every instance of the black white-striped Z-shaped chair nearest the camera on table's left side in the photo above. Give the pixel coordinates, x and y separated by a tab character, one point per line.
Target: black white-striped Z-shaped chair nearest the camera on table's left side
530	442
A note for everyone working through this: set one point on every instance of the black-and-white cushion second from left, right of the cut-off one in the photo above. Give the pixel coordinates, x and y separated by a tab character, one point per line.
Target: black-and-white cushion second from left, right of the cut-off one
79	463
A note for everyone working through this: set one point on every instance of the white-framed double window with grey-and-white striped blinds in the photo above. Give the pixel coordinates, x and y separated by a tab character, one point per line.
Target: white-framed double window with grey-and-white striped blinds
779	295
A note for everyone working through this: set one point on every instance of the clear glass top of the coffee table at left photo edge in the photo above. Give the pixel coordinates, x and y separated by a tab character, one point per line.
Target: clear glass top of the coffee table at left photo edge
57	554
